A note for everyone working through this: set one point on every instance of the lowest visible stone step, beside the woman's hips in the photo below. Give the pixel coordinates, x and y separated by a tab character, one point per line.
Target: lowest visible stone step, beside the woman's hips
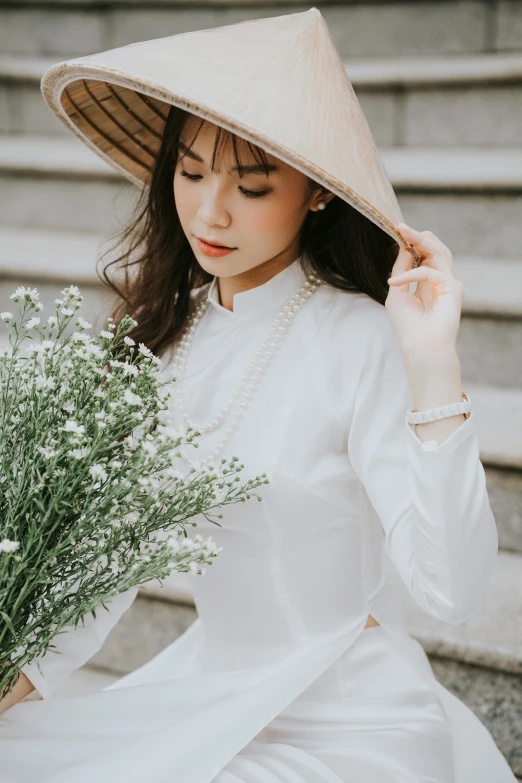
479	660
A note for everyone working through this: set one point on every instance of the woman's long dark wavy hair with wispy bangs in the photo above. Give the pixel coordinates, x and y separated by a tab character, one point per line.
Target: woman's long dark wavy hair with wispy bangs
157	267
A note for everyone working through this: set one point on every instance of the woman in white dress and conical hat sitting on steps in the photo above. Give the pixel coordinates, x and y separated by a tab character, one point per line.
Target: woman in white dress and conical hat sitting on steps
264	290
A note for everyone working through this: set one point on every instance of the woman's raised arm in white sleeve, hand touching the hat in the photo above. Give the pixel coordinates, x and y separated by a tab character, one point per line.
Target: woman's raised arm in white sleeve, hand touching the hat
428	486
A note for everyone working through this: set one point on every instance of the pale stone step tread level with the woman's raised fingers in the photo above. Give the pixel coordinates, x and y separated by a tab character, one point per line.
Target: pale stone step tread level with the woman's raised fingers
493	287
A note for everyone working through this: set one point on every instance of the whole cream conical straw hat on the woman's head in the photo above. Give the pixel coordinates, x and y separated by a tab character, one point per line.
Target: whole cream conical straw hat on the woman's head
277	82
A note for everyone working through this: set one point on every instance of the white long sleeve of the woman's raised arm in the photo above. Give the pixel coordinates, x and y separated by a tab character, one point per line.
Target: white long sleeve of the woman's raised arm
431	498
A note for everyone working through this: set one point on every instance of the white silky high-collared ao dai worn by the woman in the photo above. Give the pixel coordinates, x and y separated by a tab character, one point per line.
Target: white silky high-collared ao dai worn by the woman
278	681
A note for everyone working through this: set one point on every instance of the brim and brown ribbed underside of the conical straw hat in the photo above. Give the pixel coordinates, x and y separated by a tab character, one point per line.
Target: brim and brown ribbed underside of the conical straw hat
123	122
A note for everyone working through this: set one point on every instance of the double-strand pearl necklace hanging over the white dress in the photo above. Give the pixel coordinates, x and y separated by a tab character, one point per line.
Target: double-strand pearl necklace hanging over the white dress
253	374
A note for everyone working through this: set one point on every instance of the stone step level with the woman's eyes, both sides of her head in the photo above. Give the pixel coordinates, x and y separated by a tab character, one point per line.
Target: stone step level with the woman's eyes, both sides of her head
471	198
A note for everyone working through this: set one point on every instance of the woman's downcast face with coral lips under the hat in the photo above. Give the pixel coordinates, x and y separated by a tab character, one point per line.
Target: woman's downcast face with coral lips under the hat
259	216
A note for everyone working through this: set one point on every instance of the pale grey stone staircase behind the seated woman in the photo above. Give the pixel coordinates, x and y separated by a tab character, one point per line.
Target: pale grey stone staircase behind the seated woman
440	83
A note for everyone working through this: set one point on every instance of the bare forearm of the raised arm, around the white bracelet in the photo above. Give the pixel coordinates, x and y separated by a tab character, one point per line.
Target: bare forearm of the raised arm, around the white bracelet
435	380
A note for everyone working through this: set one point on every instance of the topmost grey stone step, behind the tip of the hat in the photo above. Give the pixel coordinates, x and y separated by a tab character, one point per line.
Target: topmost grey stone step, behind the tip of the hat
432	27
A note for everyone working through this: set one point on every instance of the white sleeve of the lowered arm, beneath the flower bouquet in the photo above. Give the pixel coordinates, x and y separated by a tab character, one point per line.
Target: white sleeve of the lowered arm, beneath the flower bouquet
75	646
